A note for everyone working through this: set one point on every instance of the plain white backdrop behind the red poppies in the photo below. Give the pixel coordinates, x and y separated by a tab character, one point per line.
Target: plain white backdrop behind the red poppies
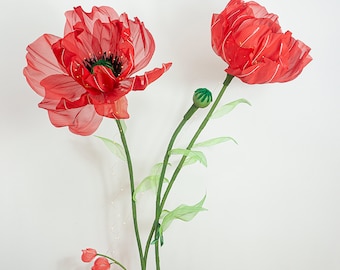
273	199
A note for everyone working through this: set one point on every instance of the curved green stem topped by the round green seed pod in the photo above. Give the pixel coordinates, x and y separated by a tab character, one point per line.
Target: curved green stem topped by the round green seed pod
186	117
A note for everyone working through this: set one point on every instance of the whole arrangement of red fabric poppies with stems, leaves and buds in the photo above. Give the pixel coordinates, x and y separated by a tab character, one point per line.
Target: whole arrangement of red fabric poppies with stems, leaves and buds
87	74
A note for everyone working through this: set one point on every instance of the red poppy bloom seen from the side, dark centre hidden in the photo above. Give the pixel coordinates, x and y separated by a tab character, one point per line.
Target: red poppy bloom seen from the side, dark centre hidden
250	40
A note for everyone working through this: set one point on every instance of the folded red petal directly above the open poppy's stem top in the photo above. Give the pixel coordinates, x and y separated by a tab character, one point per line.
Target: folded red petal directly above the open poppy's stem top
116	109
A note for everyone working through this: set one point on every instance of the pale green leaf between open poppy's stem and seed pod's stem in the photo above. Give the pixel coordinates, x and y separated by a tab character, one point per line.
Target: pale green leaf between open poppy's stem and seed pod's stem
150	182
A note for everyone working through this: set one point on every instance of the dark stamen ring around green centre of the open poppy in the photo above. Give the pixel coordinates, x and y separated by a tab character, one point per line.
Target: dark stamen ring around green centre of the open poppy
111	62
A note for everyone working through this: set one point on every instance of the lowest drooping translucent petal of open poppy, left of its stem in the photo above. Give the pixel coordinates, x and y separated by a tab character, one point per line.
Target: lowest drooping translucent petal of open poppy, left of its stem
82	121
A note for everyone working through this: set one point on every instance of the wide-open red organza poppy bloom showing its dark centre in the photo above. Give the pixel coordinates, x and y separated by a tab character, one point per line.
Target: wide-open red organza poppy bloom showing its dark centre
86	74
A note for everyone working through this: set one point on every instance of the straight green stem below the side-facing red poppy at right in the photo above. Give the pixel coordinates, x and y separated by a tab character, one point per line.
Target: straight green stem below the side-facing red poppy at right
194	138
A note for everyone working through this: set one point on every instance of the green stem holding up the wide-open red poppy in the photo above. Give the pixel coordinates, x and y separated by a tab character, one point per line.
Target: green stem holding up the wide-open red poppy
132	190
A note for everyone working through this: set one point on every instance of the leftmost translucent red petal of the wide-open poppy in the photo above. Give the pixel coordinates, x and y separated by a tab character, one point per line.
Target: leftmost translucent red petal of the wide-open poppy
41	62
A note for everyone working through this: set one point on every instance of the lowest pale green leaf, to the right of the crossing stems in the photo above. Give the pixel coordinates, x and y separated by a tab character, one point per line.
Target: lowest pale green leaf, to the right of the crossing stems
182	212
